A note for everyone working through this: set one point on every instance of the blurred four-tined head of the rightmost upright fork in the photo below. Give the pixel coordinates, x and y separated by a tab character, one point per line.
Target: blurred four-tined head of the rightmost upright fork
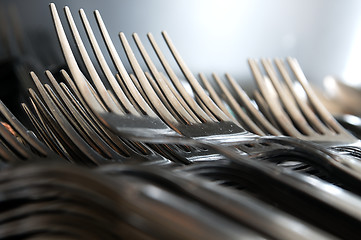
297	117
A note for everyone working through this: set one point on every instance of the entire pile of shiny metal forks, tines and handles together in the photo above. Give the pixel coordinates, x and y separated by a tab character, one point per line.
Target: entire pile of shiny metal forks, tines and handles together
148	153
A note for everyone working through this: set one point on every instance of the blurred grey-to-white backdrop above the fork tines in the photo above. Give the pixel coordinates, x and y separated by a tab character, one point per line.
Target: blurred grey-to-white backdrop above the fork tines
219	35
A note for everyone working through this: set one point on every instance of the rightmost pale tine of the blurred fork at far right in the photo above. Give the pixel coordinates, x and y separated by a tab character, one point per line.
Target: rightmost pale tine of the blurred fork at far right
320	108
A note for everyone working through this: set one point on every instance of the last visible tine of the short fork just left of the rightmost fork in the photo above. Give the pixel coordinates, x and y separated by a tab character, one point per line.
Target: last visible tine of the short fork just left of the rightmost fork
251	108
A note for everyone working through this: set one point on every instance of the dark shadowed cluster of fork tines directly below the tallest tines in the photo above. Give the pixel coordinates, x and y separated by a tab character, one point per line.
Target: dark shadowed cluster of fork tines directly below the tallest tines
66	125
